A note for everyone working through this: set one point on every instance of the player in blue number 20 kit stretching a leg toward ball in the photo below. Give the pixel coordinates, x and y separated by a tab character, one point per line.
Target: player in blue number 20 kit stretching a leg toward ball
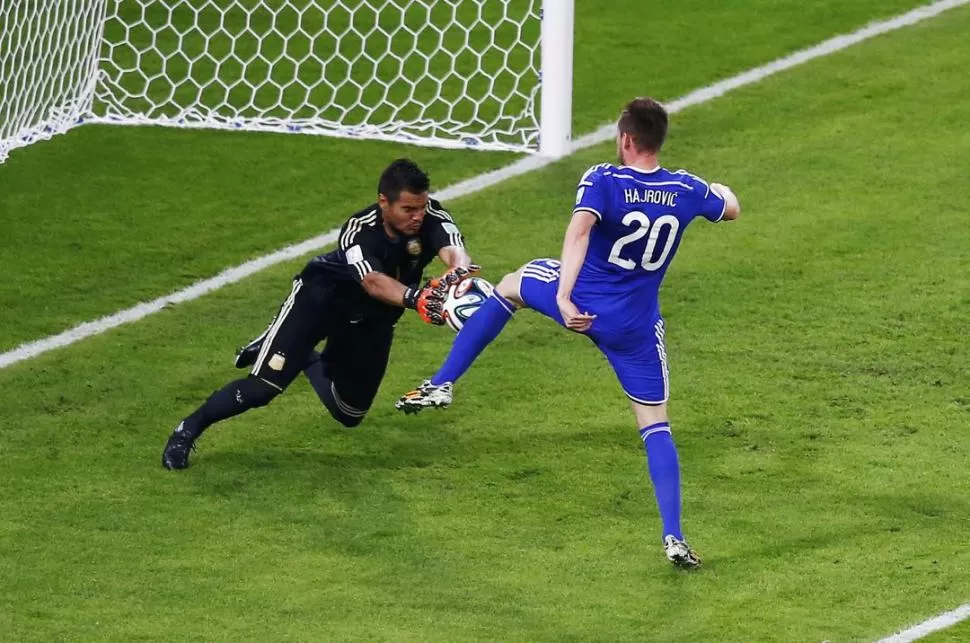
625	229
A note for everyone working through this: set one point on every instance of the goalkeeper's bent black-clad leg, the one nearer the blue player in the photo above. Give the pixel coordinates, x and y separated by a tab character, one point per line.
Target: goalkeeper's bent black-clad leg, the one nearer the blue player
350	369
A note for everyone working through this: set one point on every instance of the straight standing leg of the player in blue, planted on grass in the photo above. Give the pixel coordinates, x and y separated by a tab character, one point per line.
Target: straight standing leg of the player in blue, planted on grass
640	364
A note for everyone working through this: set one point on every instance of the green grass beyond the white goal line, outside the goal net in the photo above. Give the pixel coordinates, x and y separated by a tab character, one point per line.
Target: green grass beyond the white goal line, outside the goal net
137	213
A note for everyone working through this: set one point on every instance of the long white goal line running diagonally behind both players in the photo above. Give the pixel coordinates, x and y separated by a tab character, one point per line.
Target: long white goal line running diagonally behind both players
470	186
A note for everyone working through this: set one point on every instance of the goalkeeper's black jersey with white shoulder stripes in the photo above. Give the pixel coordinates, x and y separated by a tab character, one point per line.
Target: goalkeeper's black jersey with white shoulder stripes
363	247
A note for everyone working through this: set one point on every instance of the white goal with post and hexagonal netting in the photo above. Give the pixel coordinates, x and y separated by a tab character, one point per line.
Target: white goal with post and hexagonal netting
484	74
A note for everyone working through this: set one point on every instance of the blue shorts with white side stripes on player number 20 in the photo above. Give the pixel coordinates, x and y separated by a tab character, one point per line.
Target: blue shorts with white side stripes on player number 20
638	355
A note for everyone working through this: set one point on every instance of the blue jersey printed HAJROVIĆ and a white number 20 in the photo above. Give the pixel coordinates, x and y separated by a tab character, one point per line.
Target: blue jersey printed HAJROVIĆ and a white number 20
641	220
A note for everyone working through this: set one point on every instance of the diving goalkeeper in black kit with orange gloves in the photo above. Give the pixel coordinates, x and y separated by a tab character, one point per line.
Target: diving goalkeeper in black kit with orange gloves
351	297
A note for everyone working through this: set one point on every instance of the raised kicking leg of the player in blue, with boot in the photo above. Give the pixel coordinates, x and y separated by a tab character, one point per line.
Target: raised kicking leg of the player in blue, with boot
478	332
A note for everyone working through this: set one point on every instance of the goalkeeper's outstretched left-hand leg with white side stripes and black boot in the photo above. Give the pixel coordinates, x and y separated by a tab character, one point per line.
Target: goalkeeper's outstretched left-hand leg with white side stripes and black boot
284	352
